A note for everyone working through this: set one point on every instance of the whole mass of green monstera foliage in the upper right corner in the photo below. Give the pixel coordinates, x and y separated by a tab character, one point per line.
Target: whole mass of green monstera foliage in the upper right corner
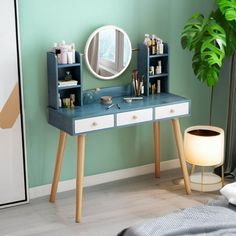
211	39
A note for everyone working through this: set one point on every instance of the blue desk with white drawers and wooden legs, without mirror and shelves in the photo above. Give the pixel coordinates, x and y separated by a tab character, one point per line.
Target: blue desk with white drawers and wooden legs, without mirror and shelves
94	117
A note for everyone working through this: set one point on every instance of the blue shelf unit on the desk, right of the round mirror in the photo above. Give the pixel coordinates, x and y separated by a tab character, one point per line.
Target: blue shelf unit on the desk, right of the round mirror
145	61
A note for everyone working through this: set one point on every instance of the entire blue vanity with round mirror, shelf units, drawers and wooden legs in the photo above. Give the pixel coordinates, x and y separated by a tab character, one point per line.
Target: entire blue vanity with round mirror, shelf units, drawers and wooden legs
84	115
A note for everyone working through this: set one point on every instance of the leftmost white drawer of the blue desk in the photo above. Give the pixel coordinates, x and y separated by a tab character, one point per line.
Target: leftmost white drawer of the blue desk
94	123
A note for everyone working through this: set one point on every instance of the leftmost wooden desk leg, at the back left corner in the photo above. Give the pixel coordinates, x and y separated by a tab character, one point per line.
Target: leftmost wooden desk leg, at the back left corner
57	170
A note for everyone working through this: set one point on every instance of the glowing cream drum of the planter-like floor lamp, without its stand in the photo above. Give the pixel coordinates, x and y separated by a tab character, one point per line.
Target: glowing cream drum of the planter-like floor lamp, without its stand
204	145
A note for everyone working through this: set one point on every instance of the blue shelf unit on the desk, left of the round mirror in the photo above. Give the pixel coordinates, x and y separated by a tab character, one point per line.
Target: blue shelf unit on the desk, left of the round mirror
56	73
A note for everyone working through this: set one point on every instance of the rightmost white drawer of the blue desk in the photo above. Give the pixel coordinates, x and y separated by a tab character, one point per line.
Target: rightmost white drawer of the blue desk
171	110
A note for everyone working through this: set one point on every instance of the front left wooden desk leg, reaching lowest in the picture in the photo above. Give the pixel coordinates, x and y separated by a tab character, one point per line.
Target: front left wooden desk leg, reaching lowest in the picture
80	176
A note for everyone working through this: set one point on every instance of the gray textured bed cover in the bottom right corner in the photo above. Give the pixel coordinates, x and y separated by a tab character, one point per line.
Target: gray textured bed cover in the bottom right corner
217	218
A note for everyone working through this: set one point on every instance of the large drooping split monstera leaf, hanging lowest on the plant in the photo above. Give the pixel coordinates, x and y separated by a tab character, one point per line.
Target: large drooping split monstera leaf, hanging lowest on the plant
207	39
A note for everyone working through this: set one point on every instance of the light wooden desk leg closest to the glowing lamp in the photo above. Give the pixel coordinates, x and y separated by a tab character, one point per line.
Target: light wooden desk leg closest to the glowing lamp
180	147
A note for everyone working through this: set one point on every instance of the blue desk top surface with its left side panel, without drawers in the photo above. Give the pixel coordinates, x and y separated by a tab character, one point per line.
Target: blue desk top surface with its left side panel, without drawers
63	118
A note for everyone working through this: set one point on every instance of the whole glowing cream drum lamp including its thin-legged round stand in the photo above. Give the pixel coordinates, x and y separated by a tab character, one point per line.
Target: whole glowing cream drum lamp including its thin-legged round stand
204	147
